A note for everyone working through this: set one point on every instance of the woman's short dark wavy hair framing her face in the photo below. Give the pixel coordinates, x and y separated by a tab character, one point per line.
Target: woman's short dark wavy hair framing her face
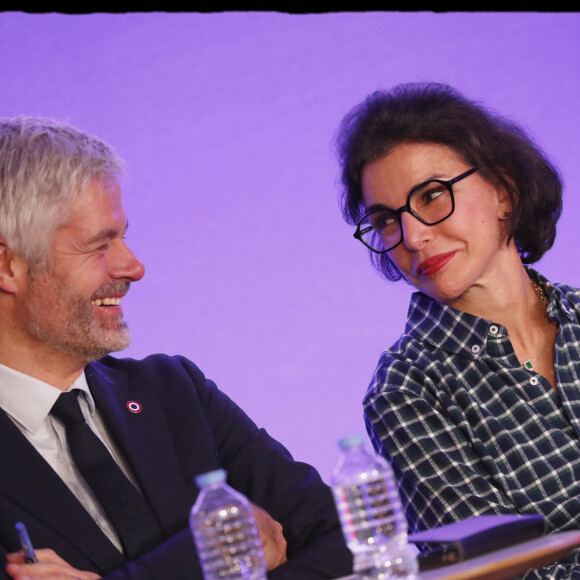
437	113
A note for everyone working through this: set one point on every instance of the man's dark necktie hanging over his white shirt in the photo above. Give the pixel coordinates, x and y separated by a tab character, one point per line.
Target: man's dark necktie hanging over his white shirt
126	507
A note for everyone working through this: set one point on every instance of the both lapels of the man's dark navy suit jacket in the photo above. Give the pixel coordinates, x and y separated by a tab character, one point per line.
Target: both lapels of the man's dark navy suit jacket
143	437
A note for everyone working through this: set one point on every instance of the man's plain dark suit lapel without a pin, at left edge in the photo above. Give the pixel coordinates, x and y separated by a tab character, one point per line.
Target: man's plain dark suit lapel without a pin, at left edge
28	481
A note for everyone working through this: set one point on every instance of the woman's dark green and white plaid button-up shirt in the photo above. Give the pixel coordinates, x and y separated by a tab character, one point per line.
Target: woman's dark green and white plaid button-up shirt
470	431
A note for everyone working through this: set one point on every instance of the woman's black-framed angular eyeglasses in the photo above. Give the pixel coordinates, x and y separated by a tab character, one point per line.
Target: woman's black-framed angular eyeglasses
430	202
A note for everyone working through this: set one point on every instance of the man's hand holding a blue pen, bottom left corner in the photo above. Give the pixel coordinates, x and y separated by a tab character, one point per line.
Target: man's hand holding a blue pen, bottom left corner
49	566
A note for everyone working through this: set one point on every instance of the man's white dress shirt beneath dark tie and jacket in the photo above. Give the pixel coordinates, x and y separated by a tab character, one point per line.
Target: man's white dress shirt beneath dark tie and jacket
28	402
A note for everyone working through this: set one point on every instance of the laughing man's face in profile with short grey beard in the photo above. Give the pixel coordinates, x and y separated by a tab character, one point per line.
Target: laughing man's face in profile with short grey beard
74	306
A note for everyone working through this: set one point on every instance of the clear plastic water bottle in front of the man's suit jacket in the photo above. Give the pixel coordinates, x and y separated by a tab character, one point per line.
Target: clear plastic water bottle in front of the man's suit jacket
225	531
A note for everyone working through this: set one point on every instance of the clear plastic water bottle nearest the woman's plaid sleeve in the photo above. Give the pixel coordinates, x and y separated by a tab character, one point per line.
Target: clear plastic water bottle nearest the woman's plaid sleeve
371	515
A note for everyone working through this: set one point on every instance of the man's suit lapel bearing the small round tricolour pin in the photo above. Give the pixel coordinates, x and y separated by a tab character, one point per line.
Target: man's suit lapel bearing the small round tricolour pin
144	438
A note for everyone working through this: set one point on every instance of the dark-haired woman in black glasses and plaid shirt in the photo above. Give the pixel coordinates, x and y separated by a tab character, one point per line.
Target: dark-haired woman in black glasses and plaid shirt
477	405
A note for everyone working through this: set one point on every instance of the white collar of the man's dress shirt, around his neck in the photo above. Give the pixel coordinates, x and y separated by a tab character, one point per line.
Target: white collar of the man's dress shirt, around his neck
28	401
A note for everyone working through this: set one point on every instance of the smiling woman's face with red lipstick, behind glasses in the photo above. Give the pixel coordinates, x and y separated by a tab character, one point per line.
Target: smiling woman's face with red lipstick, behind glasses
467	249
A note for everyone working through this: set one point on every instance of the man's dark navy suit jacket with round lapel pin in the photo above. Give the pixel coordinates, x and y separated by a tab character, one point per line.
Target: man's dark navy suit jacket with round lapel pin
186	427
